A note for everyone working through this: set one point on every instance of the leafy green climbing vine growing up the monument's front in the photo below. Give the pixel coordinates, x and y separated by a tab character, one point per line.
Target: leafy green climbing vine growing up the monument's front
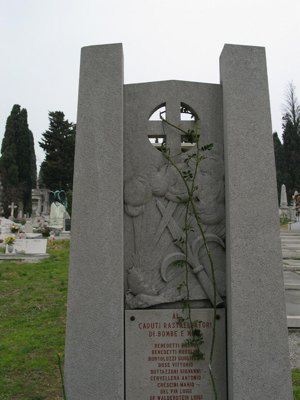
188	175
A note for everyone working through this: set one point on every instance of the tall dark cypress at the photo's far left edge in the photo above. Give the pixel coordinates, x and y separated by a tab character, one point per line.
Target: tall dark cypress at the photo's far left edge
17	164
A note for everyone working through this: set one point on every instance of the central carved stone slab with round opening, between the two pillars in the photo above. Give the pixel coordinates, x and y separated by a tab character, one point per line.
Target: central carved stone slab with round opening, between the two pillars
153	190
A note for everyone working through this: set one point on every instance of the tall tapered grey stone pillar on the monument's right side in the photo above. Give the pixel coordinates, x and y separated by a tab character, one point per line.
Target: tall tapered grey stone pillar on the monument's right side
258	364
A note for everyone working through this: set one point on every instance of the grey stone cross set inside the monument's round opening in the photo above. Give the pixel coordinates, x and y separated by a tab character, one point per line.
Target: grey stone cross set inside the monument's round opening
172	135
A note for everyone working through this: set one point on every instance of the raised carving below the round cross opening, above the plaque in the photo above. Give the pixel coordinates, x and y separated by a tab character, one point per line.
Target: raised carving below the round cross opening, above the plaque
153	205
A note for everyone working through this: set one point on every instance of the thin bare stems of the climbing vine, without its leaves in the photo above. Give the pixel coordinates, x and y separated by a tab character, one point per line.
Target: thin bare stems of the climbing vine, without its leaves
190	202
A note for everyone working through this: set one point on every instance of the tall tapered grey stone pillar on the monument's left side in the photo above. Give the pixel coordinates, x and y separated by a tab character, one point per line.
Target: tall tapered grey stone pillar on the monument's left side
94	343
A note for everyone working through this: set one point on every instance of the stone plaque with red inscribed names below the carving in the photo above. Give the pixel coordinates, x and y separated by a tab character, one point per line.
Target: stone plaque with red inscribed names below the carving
159	364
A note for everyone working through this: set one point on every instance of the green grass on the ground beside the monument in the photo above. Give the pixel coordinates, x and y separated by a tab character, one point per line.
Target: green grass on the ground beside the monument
32	326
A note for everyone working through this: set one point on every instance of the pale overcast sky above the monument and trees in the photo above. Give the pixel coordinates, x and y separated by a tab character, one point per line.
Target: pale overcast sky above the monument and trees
163	39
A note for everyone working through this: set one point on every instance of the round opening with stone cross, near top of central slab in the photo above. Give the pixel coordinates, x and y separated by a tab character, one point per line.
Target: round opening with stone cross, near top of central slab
182	116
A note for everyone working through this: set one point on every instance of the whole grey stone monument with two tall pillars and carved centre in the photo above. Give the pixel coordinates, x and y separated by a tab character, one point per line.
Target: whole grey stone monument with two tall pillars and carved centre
124	307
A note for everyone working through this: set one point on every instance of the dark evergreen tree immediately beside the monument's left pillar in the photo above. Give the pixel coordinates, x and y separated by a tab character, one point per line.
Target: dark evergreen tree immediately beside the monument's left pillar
59	145
